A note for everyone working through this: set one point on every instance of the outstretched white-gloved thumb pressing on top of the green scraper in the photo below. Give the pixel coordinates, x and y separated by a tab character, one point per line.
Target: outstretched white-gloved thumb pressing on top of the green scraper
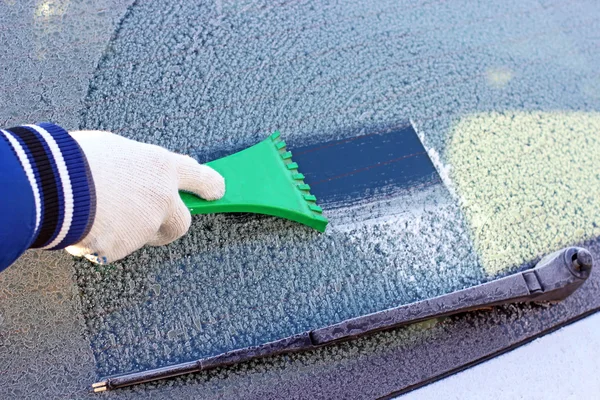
199	179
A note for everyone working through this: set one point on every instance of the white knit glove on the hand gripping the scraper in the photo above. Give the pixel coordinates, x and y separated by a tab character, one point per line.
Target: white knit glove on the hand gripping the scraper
137	199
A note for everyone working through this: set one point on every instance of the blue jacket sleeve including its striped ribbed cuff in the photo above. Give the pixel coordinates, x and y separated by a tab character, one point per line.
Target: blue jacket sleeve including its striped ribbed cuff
47	197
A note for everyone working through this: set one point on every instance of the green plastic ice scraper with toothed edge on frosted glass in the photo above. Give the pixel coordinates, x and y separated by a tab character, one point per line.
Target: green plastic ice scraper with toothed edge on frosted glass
262	179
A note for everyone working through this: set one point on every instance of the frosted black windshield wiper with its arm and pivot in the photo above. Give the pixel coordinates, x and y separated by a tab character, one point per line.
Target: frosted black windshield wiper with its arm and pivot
553	279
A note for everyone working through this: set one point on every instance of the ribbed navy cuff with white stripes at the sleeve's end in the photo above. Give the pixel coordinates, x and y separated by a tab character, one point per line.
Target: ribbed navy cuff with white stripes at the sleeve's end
61	181
